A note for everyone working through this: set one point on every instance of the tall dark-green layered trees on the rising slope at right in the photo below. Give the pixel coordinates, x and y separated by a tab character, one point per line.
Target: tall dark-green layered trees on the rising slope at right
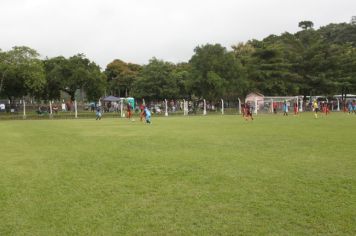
306	62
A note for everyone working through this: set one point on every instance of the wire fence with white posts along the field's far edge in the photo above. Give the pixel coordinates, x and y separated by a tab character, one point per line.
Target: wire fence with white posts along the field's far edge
29	109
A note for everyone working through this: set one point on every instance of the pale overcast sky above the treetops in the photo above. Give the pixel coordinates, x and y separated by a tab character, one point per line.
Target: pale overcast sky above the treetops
137	30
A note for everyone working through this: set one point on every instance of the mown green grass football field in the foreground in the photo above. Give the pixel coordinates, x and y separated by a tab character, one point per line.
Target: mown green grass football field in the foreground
200	175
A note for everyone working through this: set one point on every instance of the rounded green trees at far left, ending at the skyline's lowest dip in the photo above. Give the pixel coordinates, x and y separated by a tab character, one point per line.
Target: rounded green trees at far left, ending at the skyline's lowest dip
22	74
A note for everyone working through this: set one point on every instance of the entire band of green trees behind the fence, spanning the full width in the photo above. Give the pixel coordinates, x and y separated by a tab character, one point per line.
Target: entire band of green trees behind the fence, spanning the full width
309	62
